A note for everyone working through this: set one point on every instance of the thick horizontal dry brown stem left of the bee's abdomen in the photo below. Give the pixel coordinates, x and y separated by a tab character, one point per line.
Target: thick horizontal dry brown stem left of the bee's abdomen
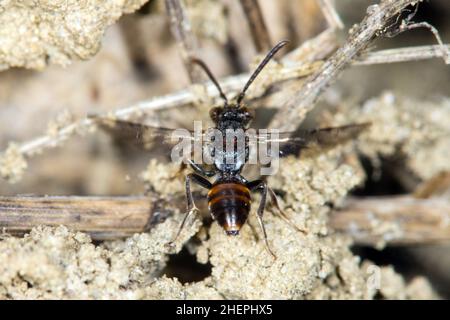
102	217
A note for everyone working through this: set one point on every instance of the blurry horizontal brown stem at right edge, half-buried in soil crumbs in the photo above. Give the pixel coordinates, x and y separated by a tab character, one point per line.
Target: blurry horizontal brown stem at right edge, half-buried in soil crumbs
400	220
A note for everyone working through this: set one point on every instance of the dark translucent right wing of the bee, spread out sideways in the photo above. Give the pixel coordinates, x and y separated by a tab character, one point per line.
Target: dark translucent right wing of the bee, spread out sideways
317	140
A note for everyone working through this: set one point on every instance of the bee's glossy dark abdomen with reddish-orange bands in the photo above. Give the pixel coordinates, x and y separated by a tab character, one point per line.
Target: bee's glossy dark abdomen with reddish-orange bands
229	204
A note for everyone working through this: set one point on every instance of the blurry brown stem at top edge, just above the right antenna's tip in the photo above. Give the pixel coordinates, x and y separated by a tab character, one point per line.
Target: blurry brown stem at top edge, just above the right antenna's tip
258	29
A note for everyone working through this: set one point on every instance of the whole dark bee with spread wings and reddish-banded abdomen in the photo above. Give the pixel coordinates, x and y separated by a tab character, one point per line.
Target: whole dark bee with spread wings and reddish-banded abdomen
229	195
